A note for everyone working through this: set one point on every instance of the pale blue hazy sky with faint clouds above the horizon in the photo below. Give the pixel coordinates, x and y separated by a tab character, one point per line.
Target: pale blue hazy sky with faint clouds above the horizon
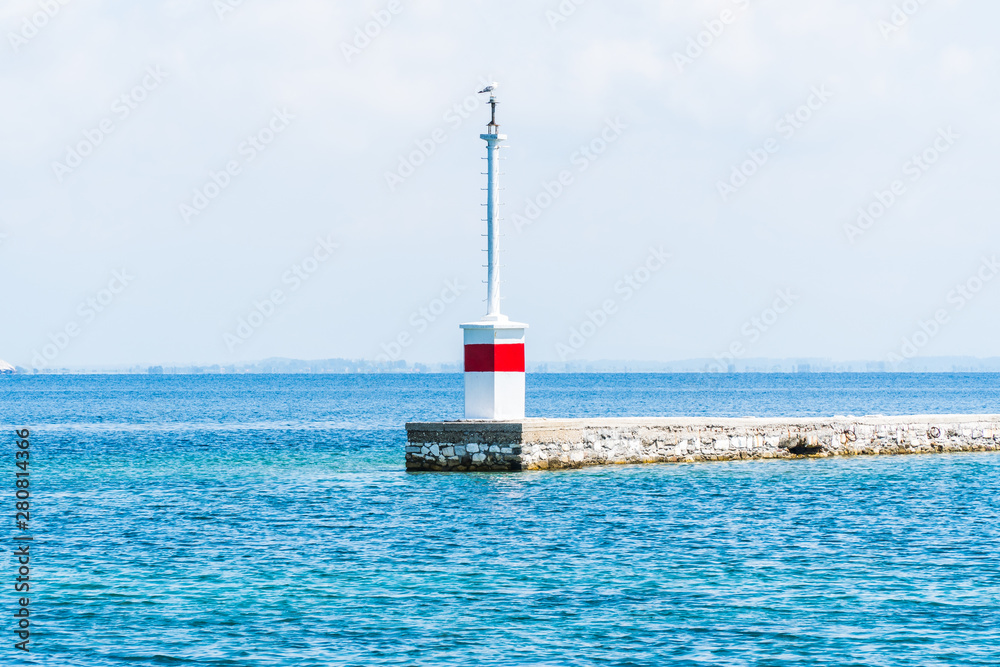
199	181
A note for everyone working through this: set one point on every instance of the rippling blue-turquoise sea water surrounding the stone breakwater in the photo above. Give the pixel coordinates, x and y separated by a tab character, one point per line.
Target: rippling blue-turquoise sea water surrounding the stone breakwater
268	520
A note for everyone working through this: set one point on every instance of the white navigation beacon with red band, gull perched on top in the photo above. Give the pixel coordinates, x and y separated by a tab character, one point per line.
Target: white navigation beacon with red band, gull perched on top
494	346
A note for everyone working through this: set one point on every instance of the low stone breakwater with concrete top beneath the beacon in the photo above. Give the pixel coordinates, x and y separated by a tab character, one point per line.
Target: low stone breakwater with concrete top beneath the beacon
548	444
